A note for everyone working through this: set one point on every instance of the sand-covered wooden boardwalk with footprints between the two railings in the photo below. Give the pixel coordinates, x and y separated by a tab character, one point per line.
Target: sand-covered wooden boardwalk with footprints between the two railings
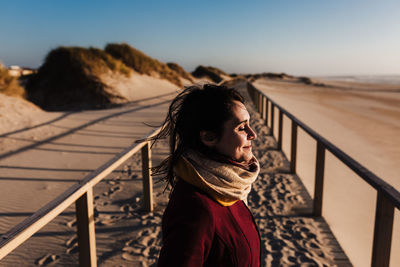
126	235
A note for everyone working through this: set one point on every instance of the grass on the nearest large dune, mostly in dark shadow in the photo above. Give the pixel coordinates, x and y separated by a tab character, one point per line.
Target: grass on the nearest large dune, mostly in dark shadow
70	79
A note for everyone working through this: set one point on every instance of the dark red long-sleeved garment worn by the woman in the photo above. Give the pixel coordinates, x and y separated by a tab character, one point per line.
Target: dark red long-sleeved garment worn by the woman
198	231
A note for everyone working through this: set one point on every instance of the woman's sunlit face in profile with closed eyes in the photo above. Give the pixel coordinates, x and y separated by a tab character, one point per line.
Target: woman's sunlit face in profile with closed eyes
236	138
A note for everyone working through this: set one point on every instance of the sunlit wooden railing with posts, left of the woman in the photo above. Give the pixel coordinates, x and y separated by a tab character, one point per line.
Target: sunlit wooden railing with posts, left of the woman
82	195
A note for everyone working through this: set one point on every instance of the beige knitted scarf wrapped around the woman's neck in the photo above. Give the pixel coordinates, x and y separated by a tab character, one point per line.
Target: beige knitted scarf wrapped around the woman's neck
225	182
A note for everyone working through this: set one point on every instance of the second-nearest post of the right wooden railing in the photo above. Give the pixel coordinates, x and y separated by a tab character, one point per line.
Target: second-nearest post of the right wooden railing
319	179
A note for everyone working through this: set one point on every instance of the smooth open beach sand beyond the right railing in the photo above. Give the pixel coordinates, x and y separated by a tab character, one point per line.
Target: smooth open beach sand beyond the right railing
364	121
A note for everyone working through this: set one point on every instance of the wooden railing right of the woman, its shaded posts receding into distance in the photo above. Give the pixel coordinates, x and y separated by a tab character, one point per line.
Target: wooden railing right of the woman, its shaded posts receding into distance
388	198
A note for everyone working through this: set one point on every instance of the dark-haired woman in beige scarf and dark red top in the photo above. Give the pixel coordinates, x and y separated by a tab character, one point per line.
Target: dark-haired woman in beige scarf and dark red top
210	168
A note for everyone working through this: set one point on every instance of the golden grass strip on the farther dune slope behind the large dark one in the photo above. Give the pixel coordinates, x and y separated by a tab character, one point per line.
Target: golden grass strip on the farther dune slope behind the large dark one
142	63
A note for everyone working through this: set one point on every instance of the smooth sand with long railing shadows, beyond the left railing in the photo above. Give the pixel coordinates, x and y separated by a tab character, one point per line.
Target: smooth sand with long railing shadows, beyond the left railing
43	153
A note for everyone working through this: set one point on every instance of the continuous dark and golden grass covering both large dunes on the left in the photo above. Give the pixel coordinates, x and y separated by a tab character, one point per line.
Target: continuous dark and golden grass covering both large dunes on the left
71	77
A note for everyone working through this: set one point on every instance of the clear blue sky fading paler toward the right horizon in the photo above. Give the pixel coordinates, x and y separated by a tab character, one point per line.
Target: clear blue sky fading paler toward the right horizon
307	37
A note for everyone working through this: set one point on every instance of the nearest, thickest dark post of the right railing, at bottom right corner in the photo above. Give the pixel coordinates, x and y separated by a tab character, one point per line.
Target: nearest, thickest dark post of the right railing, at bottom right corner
383	231
